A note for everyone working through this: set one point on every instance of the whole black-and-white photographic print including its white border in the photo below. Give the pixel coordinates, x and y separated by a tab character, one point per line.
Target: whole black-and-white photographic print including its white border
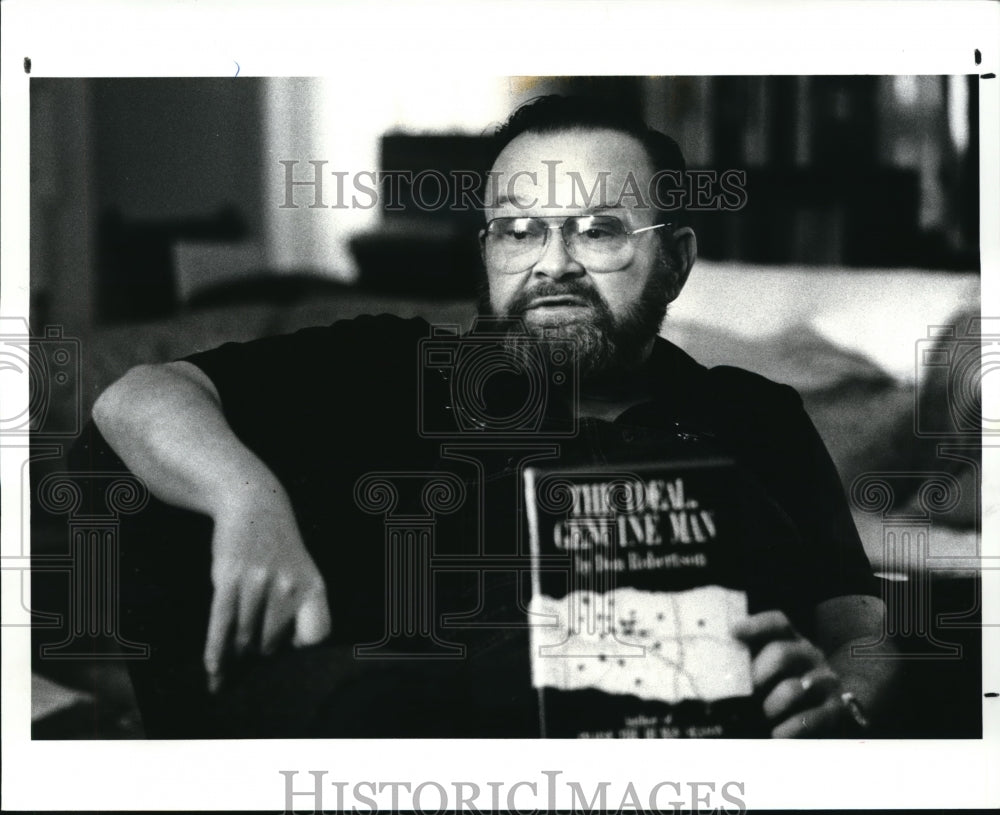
383	413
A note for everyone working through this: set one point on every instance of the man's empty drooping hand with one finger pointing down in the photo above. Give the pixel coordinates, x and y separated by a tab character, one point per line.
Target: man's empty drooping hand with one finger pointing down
266	584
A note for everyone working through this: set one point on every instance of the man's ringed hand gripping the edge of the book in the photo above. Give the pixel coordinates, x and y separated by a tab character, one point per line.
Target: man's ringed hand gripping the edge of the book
802	694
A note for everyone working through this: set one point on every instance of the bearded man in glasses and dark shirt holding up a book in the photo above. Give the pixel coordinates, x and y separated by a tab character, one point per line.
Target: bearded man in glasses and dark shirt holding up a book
584	246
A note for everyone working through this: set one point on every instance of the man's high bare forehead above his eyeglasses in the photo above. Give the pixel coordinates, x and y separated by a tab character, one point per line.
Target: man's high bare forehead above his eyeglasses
568	169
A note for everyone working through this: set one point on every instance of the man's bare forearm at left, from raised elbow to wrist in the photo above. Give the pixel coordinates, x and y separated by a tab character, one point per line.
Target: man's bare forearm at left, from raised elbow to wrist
166	424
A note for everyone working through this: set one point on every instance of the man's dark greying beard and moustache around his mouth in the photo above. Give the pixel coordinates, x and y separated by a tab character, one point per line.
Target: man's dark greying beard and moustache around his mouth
605	345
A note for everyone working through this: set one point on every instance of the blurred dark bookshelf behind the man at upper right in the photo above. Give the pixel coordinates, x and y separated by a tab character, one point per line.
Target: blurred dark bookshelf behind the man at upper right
841	170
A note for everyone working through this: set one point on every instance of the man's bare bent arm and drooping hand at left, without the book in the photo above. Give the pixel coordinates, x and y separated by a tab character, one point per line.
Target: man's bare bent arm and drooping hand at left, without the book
167	425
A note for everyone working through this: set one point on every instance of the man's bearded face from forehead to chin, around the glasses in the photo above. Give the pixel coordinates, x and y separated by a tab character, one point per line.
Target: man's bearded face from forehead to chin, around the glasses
612	313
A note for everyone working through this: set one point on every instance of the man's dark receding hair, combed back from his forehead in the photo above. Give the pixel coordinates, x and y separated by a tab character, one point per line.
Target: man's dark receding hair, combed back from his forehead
555	114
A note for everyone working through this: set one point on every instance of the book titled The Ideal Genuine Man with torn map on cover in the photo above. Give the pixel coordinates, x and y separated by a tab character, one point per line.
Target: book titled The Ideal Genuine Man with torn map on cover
636	578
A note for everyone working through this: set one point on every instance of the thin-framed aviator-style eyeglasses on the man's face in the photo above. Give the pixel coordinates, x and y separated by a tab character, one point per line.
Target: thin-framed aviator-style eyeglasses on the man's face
600	243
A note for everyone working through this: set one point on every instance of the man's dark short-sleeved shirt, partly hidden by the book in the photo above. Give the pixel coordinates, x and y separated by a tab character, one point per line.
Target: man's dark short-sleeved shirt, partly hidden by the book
327	407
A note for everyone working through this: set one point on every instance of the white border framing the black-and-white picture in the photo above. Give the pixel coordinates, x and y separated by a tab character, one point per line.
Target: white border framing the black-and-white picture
494	38
